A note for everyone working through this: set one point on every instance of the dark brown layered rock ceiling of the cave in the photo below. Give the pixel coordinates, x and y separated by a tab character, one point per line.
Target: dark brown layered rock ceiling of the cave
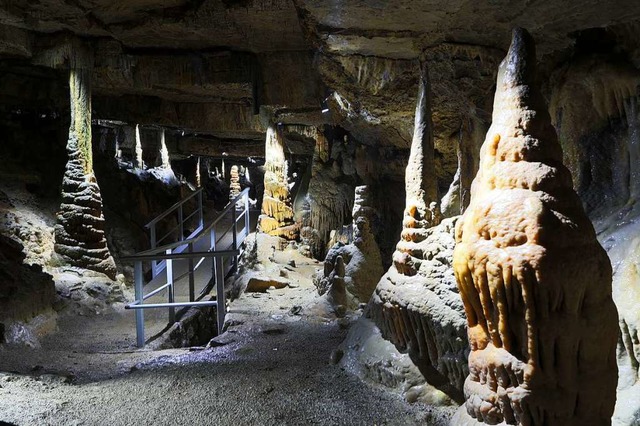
225	68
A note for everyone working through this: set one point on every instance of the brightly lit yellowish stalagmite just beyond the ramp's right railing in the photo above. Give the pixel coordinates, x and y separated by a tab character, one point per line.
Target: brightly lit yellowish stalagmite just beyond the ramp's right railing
277	211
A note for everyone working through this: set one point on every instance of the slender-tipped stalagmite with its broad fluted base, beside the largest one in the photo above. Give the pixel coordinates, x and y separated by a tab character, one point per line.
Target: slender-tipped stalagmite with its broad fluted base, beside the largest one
416	304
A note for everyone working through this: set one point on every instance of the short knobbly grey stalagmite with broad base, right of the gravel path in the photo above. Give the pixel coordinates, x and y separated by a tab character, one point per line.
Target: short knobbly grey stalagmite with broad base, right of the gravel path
356	267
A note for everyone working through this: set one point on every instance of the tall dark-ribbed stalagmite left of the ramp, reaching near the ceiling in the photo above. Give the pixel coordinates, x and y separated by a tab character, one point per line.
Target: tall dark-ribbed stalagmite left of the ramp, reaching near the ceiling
79	232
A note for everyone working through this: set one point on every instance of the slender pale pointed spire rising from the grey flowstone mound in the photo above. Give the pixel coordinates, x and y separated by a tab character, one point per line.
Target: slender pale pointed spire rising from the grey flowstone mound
421	209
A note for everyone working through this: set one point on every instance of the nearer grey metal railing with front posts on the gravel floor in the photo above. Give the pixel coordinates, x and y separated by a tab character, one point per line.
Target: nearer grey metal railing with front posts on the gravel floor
222	246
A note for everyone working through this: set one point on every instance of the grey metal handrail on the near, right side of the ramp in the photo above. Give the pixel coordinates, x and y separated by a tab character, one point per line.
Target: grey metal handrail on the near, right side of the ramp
169	253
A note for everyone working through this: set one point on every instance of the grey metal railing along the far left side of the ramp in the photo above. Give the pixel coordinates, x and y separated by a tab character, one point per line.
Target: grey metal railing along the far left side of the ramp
183	222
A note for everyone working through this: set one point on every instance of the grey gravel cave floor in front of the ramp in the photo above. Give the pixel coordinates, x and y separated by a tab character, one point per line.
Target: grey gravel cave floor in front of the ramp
271	367
